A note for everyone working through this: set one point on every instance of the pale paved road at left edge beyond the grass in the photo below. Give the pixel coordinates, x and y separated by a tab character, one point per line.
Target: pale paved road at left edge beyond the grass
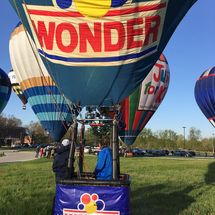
14	156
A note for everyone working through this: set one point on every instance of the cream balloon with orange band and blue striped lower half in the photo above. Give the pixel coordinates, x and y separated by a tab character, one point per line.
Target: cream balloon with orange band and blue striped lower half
38	87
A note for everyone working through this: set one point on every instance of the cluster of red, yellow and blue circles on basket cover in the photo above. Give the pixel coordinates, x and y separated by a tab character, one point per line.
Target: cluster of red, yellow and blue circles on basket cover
91	203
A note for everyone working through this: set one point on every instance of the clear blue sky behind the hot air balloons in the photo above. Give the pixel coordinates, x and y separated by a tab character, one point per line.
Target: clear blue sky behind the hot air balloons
190	51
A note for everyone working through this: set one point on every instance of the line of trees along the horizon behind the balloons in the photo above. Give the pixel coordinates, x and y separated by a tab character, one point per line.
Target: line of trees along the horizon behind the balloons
147	139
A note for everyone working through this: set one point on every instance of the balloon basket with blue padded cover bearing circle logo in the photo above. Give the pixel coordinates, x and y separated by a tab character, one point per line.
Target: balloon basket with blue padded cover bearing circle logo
85	195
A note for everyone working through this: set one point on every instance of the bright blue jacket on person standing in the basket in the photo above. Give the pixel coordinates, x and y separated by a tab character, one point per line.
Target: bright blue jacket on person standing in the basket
104	170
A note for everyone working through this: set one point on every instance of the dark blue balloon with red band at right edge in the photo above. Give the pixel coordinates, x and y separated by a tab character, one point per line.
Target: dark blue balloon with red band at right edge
205	94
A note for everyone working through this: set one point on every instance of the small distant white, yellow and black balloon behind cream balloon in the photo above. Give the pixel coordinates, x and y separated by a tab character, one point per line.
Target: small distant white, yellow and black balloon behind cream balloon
17	89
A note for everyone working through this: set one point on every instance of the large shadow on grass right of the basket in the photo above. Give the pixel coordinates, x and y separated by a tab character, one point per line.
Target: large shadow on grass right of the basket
156	199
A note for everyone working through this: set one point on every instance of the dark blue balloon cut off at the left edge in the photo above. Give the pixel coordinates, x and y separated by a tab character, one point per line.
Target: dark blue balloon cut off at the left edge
5	89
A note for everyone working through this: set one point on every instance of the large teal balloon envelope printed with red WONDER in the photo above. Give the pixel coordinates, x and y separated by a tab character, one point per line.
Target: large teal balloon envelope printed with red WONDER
105	48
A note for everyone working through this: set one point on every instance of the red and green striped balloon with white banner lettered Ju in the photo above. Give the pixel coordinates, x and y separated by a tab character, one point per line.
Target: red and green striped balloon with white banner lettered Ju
139	107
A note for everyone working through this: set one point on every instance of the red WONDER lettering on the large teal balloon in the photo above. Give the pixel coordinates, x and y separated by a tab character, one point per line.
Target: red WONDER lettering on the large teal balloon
107	36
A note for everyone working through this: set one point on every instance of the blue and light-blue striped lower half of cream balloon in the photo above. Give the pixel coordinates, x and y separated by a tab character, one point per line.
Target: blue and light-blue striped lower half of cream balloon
50	107
